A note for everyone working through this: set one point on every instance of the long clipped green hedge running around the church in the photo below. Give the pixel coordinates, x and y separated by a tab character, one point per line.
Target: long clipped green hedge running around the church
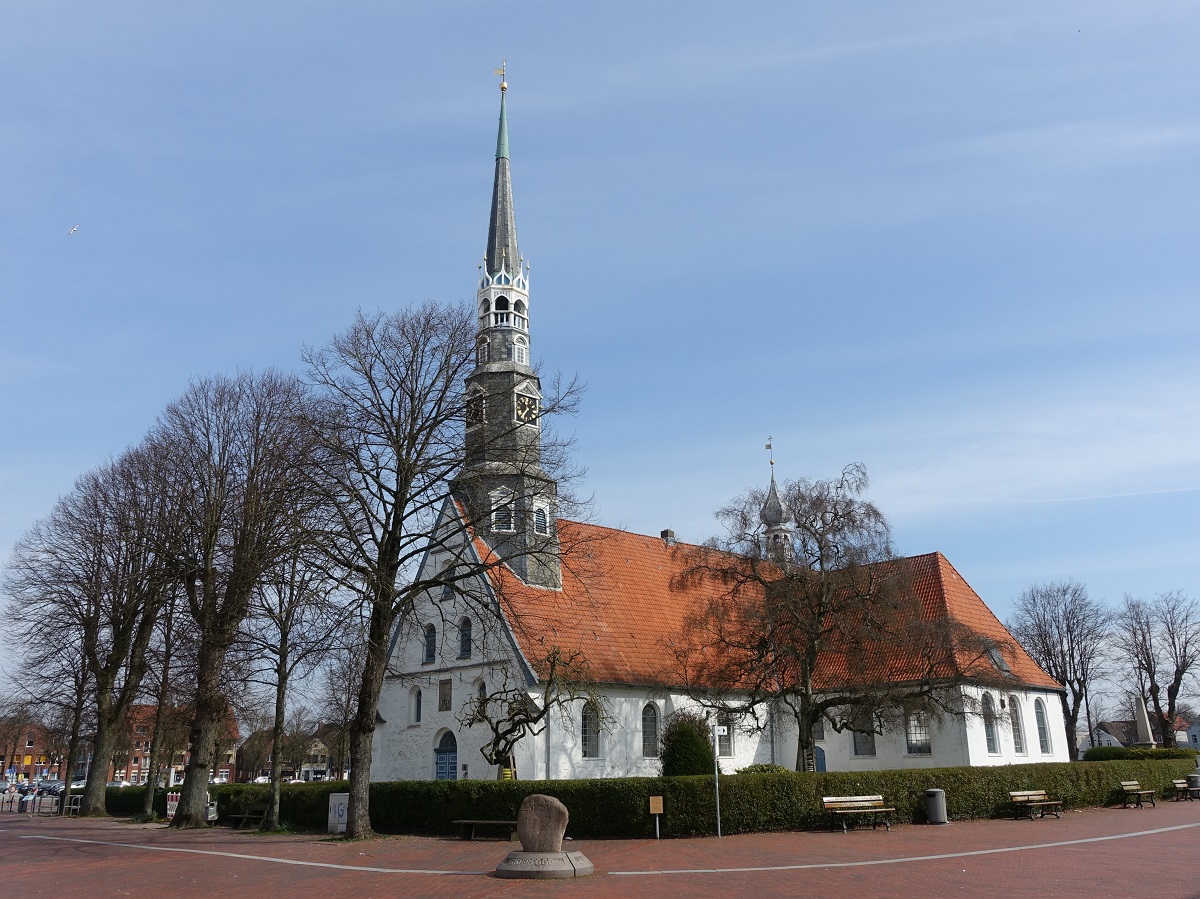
751	802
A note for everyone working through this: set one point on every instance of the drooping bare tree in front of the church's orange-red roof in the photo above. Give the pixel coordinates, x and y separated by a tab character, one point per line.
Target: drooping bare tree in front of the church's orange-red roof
805	618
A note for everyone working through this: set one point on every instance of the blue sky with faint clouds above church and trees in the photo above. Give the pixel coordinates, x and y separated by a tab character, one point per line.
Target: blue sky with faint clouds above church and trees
955	242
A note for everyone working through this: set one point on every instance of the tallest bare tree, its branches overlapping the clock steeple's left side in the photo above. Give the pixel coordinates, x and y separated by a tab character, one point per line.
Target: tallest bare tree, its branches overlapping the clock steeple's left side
392	435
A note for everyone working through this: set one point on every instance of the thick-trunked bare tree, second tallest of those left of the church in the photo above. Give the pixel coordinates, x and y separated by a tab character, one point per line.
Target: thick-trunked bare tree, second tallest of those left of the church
233	454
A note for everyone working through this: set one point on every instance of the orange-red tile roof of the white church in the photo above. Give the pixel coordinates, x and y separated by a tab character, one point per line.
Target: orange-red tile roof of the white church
621	606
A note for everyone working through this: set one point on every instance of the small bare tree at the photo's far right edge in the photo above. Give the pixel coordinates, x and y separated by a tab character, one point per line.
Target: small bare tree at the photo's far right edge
1160	643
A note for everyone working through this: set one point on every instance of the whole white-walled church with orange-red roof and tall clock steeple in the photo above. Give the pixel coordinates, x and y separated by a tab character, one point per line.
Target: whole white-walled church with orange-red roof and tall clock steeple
615	600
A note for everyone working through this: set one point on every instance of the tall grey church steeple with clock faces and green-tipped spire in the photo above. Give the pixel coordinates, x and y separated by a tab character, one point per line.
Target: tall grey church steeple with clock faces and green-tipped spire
513	501
